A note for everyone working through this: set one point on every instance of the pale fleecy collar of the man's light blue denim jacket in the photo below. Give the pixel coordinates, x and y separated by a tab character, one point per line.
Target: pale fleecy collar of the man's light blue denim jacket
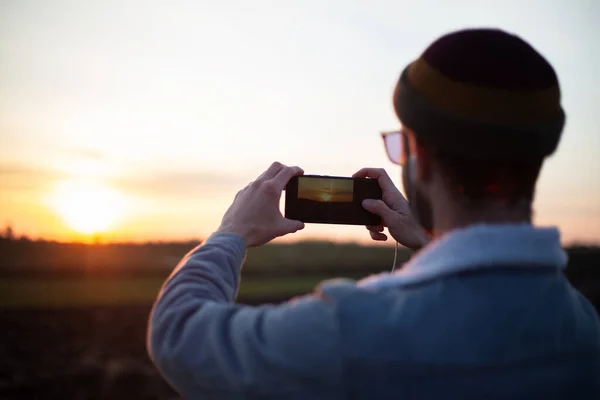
479	247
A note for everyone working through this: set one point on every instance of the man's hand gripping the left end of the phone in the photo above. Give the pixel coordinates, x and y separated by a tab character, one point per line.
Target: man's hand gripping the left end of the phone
255	215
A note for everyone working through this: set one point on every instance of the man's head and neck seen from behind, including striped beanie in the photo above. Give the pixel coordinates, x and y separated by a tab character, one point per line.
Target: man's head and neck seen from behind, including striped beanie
480	110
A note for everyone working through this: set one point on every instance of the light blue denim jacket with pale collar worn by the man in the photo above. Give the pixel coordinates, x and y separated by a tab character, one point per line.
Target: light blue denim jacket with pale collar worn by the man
482	312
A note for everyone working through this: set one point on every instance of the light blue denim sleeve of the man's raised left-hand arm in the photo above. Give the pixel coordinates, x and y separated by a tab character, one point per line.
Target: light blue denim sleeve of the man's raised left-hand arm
205	345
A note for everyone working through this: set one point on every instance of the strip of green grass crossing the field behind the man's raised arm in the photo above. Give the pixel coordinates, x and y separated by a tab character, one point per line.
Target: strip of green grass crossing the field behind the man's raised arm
89	292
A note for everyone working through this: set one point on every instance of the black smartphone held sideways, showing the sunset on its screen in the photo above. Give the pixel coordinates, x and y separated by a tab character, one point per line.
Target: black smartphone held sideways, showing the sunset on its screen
331	200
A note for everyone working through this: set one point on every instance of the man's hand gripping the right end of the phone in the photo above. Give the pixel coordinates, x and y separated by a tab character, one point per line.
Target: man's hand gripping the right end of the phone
394	212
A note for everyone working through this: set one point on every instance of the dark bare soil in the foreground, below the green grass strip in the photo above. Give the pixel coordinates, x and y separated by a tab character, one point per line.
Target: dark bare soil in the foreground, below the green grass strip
87	353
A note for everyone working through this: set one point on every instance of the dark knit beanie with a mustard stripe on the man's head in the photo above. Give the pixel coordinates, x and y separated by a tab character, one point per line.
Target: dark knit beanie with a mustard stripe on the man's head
482	94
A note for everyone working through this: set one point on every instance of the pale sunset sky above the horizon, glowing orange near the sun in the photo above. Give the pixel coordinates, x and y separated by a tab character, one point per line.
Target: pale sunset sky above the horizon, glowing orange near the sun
165	109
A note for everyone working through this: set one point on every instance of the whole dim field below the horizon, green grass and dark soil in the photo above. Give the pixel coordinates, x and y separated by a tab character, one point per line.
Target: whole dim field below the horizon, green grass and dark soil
74	317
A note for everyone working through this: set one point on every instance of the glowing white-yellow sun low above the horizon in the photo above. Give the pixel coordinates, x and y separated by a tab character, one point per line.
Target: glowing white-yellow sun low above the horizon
87	207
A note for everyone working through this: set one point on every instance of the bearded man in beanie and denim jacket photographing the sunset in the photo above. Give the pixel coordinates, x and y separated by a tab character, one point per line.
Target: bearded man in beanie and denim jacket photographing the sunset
483	311
